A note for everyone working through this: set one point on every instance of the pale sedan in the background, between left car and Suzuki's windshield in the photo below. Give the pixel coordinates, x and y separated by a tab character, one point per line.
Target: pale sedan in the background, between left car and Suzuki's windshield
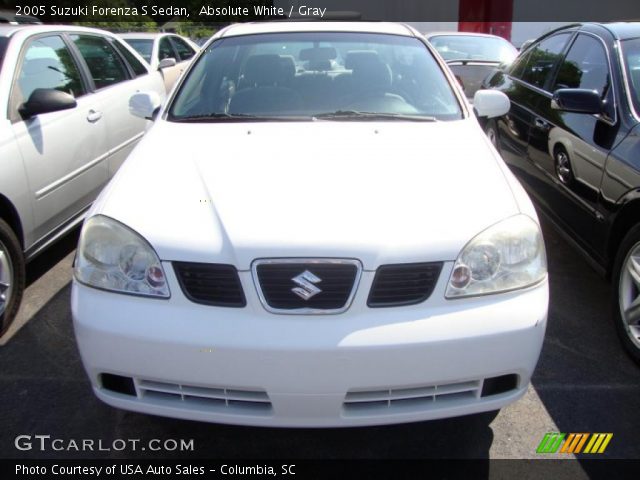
166	52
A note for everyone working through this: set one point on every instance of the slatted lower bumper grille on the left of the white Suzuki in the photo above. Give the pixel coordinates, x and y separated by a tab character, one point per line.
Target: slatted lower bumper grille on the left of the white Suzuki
220	399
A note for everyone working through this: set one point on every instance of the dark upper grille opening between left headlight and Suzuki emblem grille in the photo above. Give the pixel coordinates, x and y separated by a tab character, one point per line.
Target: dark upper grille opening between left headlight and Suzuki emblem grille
210	284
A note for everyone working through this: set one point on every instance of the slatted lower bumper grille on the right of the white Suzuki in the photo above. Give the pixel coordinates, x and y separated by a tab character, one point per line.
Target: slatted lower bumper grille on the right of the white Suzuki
409	399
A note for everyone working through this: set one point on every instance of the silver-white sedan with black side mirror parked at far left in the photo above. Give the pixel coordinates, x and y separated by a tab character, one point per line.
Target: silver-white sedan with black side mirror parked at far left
65	130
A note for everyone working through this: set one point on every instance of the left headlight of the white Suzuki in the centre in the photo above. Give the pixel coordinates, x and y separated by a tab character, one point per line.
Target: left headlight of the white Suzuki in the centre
112	257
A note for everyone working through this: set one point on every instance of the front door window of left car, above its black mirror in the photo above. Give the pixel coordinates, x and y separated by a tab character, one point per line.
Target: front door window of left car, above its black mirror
47	63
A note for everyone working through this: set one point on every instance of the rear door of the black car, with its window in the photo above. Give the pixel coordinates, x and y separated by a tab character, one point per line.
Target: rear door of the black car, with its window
524	85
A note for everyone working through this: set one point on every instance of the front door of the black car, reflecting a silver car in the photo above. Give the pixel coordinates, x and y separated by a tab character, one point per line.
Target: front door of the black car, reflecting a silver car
571	148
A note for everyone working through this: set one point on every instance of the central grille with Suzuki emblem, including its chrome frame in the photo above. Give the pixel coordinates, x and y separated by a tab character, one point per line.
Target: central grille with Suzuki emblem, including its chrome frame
332	283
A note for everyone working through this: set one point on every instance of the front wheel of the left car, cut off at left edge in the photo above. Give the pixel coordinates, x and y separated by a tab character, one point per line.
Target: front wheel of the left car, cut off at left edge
12	276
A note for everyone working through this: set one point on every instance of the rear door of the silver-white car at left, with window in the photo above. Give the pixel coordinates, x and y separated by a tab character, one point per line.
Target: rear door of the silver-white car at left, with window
114	83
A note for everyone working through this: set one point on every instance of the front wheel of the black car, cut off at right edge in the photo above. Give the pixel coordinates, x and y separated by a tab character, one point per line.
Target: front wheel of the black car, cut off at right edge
626	297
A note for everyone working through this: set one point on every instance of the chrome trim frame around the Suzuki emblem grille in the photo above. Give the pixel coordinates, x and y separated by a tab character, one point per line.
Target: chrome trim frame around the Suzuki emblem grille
306	311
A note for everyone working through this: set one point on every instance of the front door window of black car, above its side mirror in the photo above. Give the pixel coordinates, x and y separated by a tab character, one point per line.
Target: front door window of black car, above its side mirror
585	66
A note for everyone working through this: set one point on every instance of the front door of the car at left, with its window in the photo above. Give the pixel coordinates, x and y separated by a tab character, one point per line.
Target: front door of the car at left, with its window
63	151
